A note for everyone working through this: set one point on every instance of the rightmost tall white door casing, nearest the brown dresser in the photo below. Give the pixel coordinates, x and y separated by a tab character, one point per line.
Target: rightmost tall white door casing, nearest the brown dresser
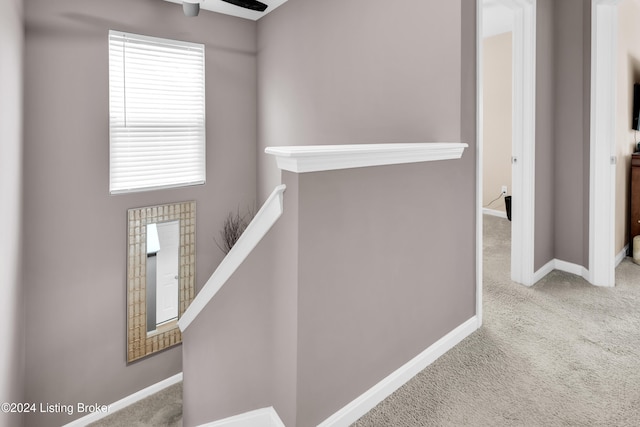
604	29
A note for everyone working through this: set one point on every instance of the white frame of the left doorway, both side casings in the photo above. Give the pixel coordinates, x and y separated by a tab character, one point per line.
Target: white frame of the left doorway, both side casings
523	144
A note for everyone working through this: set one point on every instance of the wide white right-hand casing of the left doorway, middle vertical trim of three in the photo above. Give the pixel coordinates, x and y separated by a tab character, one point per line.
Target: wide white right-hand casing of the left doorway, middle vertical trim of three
523	149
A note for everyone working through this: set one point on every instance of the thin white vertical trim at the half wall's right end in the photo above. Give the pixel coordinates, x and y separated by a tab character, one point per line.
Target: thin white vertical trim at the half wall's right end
479	160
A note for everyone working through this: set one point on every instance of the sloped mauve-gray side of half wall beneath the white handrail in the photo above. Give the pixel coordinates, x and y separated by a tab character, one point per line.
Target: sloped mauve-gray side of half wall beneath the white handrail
240	353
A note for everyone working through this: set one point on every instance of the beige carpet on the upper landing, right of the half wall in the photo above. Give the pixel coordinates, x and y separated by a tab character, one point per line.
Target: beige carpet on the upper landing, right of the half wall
561	353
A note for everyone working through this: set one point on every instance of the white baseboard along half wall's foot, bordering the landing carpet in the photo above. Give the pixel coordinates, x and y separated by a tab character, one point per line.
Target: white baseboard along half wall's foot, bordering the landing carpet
367	401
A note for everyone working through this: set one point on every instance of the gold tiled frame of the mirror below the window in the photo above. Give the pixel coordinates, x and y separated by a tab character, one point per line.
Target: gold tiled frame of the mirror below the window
139	343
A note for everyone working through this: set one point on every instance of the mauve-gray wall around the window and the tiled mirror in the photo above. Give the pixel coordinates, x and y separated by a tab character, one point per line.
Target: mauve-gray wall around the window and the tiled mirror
74	231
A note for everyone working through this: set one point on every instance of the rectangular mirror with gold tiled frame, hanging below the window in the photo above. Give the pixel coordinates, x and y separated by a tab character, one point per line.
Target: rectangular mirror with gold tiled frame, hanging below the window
160	275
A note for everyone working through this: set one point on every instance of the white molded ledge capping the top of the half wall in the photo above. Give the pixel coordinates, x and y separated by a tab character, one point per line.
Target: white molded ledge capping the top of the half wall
315	158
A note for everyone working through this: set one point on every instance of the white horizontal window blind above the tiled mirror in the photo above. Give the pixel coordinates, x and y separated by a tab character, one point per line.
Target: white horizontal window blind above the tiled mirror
157	113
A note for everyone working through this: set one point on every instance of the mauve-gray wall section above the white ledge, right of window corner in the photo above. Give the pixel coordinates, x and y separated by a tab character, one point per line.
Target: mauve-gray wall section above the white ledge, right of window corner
336	72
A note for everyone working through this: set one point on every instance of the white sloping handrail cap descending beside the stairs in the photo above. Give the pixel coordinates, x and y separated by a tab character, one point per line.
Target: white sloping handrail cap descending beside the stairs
255	231
